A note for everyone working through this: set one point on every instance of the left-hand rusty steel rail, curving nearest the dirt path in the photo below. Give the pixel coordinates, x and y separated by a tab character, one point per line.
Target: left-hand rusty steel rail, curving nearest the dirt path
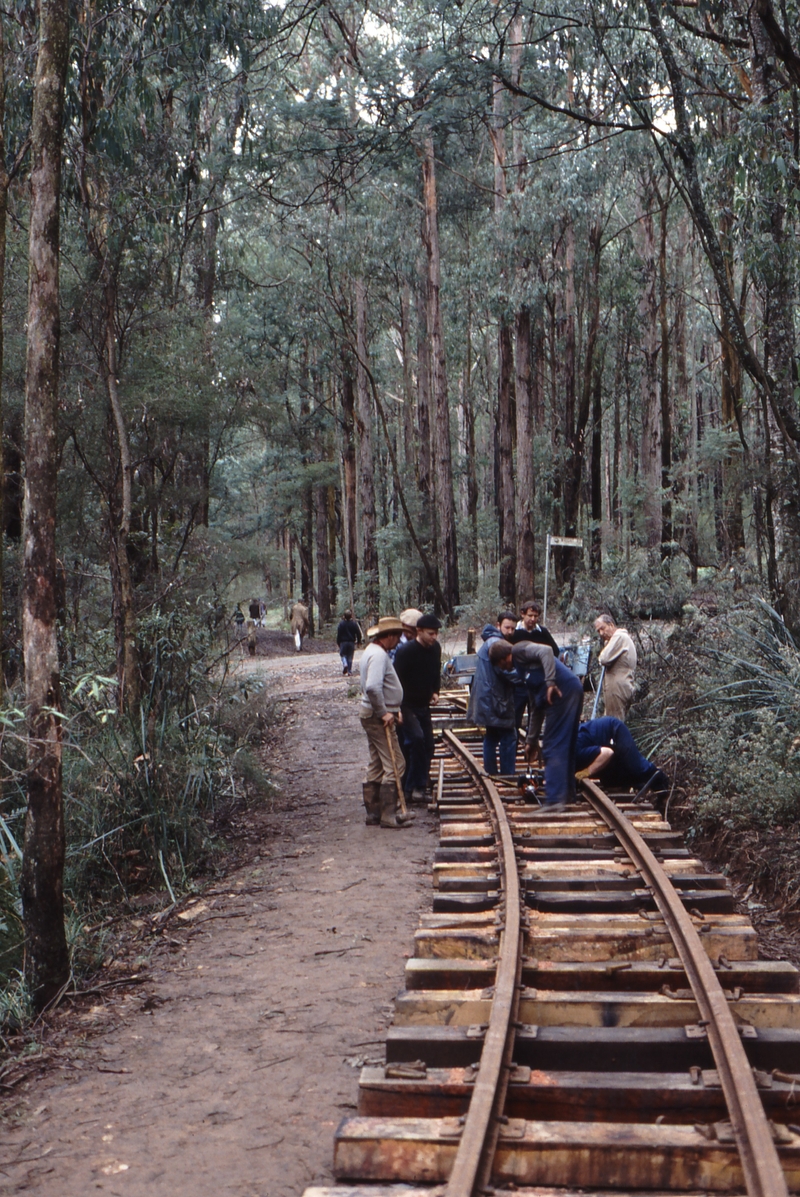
474	1163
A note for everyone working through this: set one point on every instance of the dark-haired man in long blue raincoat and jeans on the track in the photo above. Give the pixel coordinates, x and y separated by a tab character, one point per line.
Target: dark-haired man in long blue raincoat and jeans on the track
493	703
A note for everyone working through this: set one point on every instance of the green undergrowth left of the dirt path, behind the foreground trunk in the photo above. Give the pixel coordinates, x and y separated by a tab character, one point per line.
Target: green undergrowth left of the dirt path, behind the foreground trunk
147	799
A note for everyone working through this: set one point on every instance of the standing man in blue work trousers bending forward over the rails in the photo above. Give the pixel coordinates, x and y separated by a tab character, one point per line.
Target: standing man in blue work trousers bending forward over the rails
556	696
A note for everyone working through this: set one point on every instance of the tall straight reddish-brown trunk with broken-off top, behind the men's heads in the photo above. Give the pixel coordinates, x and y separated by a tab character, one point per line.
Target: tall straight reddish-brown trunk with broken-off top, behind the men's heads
449	549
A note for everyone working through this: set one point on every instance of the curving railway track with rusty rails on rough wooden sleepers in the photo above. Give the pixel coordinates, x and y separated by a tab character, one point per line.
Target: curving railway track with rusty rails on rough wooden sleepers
585	1012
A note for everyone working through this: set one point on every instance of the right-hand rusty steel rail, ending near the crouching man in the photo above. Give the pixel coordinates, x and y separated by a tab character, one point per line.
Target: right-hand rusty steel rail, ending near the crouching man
751	1129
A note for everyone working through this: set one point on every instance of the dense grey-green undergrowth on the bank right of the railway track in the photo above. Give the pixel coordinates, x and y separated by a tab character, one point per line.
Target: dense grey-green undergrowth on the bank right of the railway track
722	700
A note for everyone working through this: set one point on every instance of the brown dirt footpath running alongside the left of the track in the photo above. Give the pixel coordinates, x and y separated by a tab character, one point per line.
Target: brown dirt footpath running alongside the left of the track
228	1072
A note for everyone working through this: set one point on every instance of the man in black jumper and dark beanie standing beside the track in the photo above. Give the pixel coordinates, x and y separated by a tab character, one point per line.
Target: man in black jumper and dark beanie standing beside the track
419	665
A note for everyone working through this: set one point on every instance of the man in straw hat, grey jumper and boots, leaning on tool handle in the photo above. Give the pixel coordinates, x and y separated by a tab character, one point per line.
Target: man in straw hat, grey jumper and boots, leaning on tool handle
380	712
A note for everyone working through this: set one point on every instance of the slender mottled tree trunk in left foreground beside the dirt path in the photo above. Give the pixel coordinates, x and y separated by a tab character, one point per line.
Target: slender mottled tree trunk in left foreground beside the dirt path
47	963
